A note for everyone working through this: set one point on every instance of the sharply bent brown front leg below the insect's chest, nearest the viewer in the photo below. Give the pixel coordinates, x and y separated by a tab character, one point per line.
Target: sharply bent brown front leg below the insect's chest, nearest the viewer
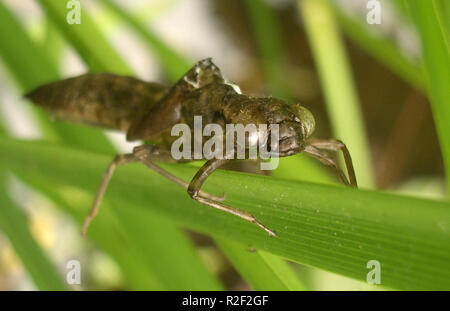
199	179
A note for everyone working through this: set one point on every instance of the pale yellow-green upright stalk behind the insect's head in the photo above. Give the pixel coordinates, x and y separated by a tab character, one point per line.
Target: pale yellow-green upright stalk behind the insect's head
336	78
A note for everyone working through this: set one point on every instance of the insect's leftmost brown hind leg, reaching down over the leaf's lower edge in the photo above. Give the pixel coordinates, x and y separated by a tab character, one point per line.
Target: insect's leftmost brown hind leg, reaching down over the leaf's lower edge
118	160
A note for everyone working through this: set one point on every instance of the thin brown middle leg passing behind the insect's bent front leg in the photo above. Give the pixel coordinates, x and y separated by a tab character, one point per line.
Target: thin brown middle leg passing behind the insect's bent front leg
145	154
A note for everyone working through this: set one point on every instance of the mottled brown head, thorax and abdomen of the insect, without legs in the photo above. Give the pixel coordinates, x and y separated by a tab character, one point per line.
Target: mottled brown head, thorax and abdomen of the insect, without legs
147	111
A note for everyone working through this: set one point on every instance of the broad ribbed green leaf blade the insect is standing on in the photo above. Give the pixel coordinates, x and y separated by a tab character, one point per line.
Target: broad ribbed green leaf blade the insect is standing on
335	228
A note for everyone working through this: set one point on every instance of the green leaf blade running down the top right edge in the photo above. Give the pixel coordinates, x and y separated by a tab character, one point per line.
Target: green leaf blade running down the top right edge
436	59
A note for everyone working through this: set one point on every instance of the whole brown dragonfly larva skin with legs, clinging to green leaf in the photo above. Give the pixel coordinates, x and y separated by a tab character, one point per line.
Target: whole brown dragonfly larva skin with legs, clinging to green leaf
148	111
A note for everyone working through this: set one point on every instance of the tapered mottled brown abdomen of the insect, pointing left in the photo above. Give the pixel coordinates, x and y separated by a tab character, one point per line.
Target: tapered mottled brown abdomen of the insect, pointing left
105	100
